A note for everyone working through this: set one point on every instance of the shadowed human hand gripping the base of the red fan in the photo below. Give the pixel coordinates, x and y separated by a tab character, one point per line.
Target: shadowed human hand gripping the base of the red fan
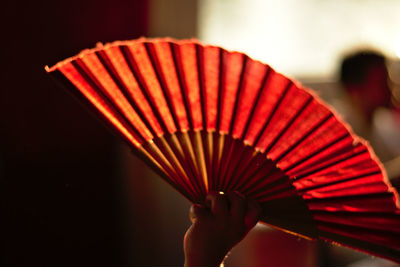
217	227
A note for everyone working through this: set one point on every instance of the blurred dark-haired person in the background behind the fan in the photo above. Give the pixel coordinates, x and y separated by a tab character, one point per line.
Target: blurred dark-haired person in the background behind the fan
369	108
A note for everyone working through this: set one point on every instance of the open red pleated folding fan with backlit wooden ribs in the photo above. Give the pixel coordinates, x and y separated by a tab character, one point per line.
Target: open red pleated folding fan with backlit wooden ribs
207	119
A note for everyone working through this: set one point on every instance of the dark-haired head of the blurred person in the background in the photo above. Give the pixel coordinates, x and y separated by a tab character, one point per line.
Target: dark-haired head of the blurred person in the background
364	76
